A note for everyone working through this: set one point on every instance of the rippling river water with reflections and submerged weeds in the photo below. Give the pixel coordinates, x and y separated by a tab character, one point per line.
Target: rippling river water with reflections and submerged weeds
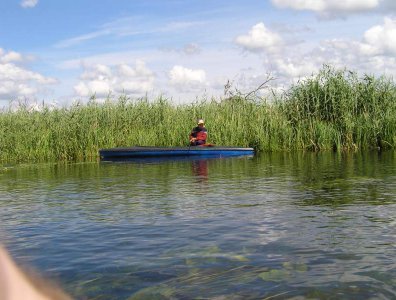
276	226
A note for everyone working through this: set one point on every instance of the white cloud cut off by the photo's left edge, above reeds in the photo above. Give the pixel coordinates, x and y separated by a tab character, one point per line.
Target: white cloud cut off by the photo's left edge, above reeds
17	81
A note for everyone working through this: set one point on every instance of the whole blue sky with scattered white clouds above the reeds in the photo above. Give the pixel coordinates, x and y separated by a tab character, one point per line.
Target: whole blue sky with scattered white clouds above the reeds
64	51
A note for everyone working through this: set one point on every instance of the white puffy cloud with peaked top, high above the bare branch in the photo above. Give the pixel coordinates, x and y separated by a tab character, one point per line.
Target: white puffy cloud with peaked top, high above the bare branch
260	38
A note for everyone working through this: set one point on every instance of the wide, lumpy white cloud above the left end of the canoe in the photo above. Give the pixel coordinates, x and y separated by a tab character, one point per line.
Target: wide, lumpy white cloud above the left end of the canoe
101	80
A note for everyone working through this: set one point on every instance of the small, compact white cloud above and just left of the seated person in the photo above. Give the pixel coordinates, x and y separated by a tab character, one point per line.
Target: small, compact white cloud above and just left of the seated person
187	79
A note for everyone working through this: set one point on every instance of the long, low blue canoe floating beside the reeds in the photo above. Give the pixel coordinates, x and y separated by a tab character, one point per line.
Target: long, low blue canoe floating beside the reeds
196	151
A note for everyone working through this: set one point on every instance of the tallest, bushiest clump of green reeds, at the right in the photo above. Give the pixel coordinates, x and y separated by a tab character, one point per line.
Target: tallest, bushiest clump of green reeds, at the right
337	109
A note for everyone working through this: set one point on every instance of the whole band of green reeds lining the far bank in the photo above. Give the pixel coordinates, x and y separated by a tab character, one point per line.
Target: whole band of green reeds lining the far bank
332	110
